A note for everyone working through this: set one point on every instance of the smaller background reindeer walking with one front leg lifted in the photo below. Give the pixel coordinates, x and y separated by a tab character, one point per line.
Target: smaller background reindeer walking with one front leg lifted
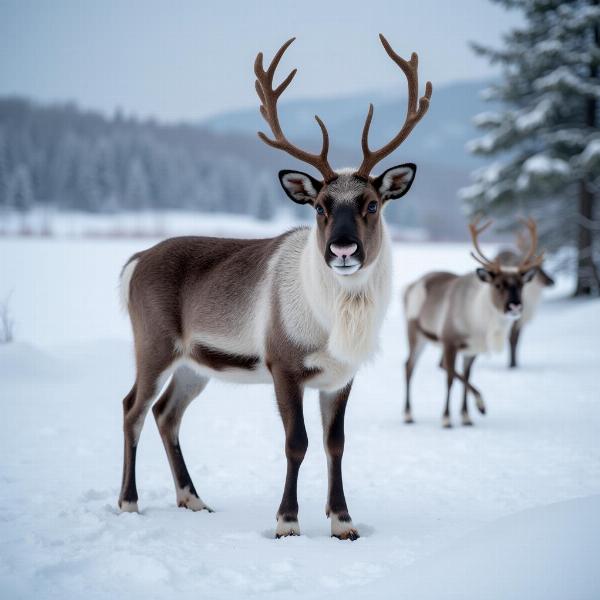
467	314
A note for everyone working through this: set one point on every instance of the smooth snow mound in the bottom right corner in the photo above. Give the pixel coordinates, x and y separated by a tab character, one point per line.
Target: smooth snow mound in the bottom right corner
536	554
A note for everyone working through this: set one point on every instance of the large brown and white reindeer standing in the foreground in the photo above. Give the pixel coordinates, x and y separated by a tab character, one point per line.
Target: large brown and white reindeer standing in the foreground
303	309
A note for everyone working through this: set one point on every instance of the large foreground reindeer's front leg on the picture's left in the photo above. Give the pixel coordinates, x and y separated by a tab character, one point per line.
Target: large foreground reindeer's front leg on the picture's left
289	393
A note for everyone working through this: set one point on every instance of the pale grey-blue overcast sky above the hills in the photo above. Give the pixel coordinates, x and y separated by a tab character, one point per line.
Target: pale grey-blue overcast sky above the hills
186	60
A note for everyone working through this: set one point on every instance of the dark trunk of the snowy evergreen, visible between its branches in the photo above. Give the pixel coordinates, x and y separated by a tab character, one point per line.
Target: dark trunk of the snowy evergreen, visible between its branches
588	282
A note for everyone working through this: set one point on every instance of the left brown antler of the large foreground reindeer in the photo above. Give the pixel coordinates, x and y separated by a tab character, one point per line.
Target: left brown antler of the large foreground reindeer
268	98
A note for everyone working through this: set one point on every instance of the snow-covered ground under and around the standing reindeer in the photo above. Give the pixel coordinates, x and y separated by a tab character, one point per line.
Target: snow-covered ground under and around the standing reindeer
507	509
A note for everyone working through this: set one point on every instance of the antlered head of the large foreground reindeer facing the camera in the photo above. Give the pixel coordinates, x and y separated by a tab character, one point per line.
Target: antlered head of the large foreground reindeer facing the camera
347	202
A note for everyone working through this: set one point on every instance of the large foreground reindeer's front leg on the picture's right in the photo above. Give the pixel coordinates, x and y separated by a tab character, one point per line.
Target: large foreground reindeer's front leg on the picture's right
333	408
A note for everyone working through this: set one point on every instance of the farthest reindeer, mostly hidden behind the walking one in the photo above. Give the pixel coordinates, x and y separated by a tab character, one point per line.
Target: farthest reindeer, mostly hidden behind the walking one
532	295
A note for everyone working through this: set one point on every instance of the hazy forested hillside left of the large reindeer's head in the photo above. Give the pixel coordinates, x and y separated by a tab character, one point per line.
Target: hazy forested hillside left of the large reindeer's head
68	159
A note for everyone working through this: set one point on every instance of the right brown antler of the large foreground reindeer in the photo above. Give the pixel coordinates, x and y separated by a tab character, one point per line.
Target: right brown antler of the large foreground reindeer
414	112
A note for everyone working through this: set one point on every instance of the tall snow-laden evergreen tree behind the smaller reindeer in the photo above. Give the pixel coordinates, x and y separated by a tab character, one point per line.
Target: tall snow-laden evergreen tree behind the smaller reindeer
546	135
